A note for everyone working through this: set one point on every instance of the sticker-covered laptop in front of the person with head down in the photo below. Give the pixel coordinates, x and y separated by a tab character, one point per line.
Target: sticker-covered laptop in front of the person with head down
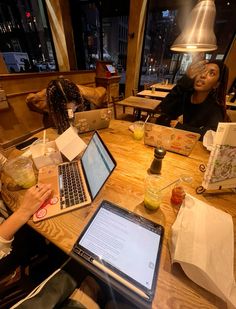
92	120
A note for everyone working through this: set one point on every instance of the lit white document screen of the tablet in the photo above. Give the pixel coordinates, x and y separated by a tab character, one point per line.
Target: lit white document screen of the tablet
125	245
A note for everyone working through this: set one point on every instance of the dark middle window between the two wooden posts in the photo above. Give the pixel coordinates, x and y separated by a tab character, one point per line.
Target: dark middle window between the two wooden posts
100	32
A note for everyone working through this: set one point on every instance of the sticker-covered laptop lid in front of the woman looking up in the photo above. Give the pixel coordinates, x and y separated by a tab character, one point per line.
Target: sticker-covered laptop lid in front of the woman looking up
172	139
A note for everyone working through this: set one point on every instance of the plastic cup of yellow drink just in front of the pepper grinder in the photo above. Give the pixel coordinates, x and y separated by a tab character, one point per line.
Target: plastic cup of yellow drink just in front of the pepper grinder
152	194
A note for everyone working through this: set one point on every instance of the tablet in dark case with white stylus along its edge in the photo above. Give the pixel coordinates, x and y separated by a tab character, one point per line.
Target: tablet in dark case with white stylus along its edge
123	249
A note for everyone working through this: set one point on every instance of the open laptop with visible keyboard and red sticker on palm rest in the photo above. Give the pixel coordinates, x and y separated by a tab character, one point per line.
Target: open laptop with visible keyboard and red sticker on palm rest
75	184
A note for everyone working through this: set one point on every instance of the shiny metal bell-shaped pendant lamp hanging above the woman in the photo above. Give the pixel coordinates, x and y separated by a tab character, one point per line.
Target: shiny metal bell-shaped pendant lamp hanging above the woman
198	34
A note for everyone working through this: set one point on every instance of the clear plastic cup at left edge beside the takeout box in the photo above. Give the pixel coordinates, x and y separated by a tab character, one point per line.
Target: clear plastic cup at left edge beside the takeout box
21	171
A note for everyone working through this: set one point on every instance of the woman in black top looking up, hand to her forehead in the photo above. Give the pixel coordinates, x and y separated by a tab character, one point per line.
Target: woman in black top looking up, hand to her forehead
199	96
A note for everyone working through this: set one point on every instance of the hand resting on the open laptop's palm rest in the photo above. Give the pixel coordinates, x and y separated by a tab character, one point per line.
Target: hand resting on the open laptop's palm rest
33	199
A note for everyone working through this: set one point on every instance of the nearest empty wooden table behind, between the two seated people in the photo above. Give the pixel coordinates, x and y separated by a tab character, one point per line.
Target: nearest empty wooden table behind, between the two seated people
141	104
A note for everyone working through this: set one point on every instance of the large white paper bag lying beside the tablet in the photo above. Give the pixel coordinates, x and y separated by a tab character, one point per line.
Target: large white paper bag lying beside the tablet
202	242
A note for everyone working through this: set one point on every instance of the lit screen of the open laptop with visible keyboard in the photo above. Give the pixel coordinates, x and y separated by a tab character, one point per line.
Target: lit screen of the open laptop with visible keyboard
97	164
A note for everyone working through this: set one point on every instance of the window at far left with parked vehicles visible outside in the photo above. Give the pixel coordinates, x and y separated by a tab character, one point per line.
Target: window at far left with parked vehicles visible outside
25	40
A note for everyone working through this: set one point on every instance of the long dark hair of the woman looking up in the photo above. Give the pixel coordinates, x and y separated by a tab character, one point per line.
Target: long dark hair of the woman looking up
220	91
